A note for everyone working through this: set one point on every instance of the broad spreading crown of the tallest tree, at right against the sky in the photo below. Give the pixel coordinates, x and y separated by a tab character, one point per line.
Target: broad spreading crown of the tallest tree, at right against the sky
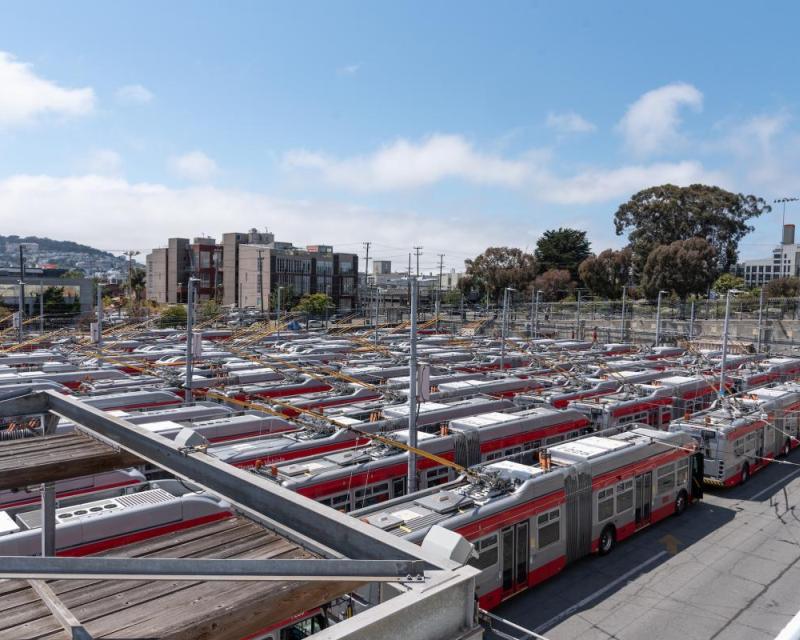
665	214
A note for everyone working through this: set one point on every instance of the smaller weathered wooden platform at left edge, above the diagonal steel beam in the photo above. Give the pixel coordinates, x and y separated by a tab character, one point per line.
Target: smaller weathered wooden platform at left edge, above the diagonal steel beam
34	460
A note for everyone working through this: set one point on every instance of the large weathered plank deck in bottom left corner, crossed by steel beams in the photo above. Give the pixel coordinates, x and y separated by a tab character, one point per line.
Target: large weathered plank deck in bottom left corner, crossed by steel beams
138	609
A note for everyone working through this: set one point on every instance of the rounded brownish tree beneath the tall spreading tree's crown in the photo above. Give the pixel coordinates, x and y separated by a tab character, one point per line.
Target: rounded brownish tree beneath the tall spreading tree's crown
683	266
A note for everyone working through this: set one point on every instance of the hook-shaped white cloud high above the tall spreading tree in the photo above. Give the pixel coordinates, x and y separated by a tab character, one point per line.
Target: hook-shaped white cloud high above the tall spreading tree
652	123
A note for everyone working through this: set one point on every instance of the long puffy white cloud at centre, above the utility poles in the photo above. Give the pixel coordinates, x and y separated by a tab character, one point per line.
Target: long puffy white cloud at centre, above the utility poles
409	165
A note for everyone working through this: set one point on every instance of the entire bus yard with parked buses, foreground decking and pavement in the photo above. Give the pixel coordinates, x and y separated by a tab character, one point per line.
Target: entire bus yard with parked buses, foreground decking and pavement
264	483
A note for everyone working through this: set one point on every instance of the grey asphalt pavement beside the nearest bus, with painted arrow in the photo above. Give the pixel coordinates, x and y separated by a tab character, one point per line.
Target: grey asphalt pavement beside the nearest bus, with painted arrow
728	568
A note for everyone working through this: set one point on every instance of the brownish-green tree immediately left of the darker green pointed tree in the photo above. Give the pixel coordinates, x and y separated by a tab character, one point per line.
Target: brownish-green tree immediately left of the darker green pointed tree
498	268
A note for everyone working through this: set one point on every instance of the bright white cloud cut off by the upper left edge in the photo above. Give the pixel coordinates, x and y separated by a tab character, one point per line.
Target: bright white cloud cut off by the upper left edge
24	96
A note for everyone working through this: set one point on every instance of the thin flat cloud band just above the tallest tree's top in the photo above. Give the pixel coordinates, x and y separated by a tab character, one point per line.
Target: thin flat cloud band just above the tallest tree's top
603	185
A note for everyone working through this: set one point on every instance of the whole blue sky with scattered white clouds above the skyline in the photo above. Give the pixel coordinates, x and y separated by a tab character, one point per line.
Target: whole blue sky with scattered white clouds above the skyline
453	125
